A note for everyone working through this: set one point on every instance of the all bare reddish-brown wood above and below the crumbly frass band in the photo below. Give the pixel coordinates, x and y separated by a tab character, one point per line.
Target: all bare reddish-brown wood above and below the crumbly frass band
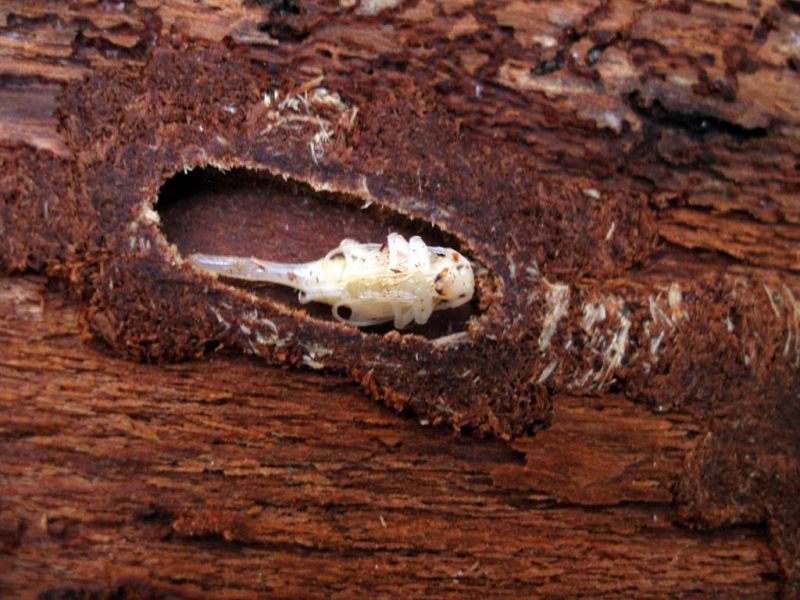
223	477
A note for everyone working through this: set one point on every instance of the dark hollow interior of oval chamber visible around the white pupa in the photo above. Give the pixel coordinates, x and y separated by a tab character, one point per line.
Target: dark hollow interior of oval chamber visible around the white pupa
244	212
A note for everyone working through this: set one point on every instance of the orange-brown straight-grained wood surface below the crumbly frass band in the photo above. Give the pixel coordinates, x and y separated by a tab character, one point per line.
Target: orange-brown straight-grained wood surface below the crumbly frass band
228	475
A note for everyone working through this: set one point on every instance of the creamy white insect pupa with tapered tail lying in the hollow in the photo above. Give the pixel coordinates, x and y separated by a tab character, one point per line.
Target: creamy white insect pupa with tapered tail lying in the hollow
400	281
